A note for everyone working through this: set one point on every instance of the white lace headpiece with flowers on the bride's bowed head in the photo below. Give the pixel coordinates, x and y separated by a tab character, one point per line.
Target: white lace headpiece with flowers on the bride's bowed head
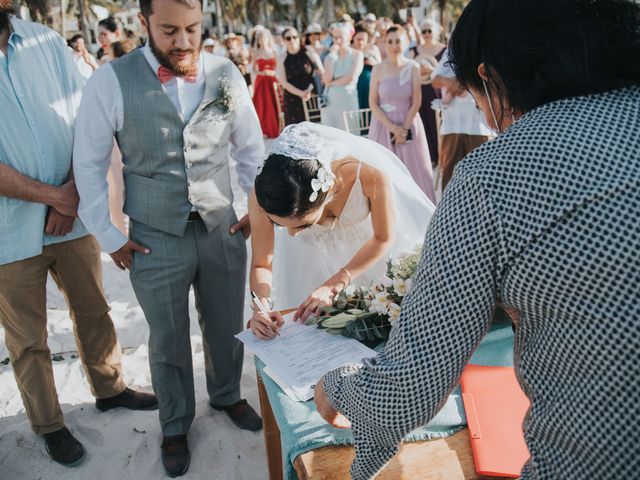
300	142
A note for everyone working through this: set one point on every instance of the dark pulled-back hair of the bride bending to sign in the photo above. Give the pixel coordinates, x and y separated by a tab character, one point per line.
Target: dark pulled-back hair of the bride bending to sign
283	187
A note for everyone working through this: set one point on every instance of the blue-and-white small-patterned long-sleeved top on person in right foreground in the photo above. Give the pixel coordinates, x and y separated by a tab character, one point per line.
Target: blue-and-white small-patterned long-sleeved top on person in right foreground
545	220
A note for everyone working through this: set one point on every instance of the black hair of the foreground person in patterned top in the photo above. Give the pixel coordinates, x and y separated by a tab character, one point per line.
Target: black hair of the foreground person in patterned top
539	51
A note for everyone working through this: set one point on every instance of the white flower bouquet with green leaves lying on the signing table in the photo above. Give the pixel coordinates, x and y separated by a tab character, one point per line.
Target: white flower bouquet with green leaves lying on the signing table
369	314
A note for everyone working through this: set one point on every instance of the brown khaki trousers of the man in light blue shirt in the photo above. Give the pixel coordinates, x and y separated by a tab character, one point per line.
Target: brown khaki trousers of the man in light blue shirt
75	267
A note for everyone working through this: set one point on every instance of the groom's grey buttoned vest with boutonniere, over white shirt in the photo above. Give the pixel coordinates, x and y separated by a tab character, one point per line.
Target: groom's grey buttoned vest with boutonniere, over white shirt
169	166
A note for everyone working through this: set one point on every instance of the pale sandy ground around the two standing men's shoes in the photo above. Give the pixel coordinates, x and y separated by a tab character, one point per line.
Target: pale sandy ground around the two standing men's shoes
122	444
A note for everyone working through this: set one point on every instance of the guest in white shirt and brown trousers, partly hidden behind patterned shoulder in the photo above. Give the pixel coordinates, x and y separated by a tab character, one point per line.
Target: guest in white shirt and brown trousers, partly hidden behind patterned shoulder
463	128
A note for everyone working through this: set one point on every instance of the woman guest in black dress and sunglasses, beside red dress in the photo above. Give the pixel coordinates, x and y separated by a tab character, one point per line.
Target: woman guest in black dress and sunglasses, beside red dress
294	71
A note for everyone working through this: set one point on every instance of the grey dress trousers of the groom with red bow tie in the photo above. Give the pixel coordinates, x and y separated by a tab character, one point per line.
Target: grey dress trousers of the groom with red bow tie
215	264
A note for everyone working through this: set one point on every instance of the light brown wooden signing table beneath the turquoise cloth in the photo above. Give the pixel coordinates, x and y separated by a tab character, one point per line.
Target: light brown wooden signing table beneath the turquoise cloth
446	458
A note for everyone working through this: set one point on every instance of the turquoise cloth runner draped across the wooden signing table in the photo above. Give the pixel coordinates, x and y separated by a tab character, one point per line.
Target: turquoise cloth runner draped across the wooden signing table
302	429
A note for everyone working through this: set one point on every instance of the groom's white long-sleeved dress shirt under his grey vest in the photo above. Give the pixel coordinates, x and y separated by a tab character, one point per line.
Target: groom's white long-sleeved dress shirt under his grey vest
101	115
